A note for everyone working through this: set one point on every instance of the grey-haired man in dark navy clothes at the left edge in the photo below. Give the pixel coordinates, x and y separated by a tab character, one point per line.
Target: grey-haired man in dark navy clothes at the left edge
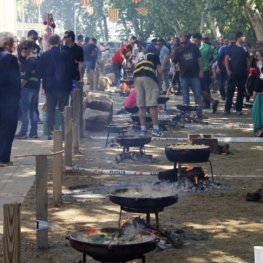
10	88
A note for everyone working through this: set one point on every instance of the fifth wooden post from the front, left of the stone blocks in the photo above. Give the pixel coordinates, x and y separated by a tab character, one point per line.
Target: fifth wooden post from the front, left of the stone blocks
76	104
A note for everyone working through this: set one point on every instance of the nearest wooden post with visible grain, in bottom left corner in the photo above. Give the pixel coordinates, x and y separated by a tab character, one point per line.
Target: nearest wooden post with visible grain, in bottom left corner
12	233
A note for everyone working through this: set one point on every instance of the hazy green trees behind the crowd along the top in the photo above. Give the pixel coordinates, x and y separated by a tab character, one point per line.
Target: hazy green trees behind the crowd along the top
164	18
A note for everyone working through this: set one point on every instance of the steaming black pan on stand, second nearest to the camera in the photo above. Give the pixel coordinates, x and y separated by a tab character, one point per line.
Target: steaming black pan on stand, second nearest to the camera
138	202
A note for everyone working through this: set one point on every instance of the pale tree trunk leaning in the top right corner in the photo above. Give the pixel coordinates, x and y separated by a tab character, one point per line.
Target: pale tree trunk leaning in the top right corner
256	19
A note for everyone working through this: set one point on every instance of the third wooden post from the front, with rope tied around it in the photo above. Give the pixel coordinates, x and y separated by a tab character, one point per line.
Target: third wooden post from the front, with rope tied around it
57	167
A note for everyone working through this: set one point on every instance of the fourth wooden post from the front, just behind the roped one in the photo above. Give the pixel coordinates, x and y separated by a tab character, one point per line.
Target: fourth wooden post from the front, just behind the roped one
68	136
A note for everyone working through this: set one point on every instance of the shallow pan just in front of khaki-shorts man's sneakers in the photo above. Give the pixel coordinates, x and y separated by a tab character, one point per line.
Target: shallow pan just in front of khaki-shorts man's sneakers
133	141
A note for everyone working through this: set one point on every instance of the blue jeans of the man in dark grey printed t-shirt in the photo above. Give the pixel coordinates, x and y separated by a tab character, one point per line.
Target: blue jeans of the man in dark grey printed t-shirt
195	85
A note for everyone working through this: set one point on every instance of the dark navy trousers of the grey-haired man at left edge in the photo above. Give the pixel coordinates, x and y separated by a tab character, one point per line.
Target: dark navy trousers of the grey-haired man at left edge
8	122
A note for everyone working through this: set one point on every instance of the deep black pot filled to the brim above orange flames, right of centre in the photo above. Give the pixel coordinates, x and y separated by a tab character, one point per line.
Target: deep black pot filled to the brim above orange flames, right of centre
187	155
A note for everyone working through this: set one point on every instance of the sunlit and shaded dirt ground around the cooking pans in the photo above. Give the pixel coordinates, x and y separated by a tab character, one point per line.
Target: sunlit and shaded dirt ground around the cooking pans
222	226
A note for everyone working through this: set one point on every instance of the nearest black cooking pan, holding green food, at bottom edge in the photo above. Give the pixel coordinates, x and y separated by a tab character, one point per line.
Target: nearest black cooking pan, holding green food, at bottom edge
112	253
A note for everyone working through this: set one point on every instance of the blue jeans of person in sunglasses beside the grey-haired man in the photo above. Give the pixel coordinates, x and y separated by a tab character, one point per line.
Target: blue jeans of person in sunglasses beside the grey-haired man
28	106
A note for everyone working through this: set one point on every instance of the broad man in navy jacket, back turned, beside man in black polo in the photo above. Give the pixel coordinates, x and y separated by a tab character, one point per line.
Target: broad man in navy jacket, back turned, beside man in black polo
56	68
